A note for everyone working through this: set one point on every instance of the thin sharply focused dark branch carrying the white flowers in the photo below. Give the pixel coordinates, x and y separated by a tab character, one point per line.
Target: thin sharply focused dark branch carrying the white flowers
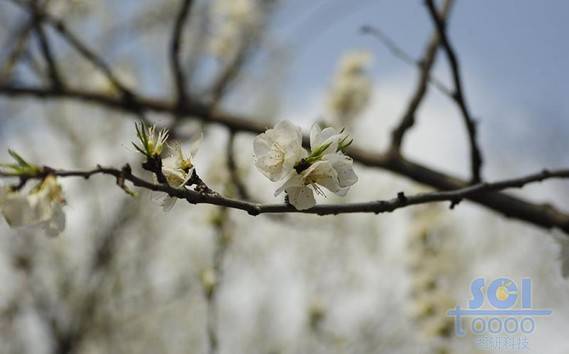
474	192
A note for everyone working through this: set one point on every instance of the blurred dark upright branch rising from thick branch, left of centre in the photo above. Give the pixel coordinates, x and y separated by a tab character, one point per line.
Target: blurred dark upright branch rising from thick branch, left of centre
175	52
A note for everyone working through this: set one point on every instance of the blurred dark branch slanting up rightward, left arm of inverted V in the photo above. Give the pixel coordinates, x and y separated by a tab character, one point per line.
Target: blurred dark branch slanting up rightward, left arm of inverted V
425	64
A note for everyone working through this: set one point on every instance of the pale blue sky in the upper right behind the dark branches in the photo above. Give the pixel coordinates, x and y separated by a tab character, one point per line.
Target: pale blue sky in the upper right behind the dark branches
513	54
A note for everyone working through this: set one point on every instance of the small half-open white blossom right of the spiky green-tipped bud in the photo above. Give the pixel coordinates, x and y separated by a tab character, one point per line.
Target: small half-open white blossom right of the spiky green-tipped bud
178	168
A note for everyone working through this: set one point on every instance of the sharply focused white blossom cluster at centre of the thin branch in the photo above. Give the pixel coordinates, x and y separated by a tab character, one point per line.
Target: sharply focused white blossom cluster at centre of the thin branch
279	155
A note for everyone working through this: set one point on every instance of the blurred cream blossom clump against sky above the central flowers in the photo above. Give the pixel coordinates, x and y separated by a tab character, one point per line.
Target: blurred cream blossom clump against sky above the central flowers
351	87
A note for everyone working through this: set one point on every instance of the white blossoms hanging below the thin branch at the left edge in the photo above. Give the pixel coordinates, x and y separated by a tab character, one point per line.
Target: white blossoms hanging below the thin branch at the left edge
41	207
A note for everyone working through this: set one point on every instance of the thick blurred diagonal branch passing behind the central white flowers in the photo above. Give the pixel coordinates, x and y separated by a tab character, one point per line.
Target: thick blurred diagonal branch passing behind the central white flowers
544	216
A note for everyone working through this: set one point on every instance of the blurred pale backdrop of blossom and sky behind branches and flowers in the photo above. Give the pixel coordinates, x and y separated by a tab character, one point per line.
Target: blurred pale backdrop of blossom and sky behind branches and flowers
126	277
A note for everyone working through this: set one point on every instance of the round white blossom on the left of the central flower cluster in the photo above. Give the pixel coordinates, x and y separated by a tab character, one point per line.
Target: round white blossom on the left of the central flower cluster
278	150
